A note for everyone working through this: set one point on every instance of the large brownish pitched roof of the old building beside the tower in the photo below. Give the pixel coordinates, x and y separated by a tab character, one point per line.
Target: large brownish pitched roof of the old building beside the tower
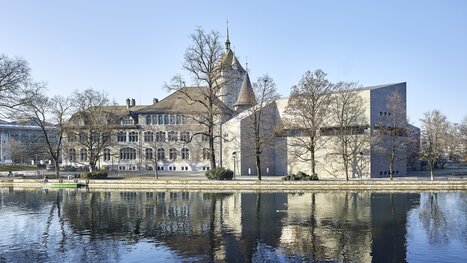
186	100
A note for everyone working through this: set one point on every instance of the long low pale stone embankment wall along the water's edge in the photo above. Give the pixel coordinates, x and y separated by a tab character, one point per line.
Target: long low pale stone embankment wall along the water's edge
249	184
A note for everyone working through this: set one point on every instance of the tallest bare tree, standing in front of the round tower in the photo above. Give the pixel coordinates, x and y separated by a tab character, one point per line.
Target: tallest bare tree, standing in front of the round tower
203	64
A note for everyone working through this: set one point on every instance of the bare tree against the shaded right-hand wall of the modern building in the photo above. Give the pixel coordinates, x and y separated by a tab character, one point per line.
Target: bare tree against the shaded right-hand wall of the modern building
391	137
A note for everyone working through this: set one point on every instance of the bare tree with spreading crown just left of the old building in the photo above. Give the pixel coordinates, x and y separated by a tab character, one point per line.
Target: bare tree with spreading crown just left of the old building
50	115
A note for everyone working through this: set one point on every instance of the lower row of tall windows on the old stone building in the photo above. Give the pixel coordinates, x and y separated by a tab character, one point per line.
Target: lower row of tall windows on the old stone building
129	153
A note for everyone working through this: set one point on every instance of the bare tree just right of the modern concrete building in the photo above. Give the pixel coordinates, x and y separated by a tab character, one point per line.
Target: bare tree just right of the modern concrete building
434	126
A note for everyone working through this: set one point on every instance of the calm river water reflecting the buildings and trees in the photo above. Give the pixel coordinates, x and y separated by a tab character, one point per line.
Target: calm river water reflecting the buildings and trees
234	227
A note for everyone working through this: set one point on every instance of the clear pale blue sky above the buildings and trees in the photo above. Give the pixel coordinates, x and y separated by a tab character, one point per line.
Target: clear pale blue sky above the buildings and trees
129	49
